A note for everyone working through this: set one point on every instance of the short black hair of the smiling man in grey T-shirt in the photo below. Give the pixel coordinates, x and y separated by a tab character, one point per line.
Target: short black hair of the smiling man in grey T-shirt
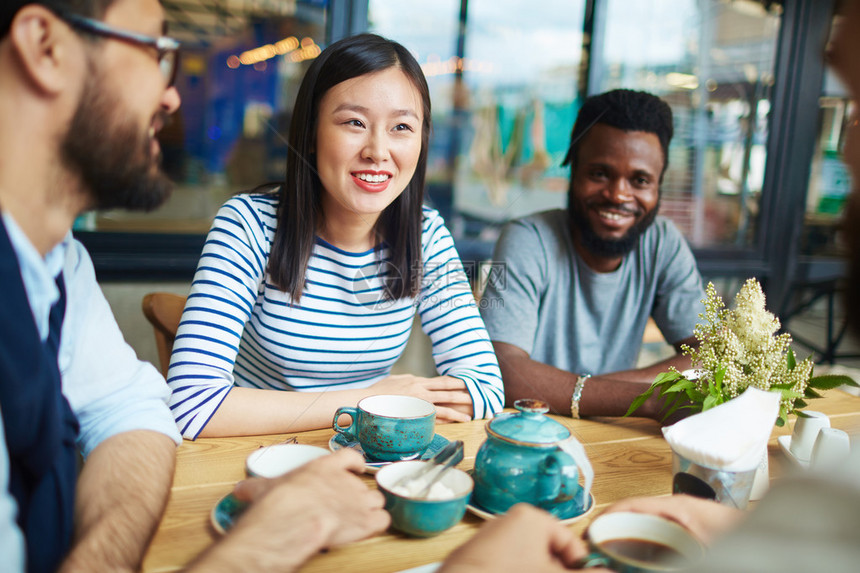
627	110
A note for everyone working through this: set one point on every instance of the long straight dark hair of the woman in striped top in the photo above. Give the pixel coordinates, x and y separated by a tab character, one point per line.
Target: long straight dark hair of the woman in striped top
300	205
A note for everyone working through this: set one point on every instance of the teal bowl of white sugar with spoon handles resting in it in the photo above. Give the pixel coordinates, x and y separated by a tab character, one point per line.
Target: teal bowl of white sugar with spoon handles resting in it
443	509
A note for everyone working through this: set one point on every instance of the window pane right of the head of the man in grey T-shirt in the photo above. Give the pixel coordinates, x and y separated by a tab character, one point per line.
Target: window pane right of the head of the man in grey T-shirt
713	62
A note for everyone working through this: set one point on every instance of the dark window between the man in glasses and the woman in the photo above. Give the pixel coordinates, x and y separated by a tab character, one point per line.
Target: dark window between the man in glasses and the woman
242	62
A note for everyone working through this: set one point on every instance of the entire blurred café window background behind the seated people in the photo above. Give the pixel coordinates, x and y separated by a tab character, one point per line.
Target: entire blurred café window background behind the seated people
754	179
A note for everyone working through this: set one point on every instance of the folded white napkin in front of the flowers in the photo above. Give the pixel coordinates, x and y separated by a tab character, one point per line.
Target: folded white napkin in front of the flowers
731	436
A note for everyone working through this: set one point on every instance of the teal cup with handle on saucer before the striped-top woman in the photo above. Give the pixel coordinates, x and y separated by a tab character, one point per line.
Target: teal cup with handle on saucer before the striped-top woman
389	427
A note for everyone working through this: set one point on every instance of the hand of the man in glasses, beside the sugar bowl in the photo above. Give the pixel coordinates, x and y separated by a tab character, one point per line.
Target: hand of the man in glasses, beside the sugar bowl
321	505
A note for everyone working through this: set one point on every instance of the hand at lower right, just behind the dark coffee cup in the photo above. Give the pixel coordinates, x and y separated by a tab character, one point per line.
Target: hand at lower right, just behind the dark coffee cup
704	518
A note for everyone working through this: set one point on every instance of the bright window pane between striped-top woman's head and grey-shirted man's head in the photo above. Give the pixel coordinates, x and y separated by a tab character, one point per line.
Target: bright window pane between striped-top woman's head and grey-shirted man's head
504	92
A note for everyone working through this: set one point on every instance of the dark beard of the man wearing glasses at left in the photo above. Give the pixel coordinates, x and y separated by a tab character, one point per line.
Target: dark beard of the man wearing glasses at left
111	156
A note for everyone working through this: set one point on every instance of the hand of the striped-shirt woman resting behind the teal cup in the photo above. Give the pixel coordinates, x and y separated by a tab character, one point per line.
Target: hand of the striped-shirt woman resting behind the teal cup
449	395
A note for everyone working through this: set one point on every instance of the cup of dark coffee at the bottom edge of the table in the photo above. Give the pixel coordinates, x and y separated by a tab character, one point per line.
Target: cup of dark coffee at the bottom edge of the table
639	543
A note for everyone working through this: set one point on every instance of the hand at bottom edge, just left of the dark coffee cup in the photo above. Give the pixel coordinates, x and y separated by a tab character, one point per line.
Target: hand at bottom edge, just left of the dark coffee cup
525	539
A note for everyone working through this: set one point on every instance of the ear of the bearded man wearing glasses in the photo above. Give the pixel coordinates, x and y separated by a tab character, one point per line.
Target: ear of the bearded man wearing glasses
46	49
